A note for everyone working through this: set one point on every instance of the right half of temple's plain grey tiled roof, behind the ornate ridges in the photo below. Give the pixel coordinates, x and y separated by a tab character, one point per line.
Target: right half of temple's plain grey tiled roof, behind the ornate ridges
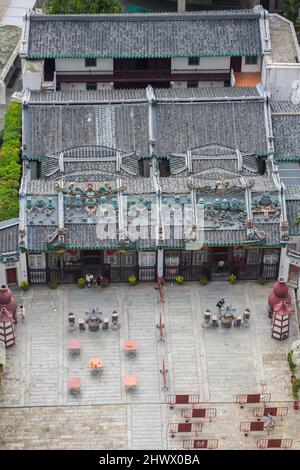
181	126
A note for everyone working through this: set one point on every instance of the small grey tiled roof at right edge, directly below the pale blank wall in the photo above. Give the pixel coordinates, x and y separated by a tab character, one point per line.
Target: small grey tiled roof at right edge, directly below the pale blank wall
286	129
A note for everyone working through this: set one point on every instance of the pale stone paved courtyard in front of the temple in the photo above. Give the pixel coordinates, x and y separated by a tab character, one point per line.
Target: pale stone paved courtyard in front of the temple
37	412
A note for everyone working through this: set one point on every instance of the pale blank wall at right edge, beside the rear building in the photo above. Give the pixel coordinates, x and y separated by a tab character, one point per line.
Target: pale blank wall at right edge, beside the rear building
283	82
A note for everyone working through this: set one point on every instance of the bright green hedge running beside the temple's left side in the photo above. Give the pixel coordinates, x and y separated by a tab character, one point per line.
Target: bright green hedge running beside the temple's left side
10	167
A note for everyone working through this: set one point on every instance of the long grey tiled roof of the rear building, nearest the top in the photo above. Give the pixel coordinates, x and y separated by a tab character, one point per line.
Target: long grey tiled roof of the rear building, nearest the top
235	32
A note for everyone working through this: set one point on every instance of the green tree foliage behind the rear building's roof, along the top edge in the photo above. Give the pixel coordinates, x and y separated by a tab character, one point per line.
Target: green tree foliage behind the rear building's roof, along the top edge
82	6
